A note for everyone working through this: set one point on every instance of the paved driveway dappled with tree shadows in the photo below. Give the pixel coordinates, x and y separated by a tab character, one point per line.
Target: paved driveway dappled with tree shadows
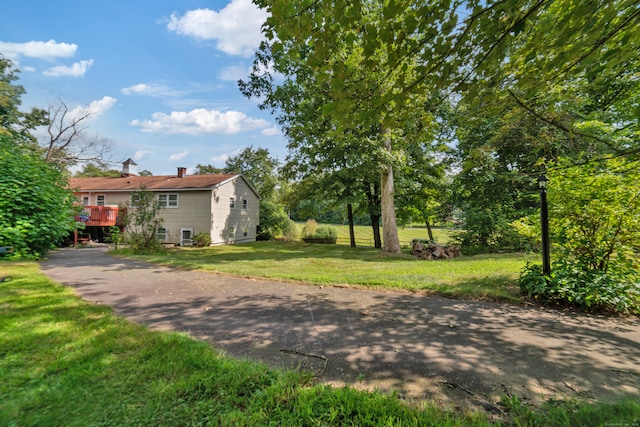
425	348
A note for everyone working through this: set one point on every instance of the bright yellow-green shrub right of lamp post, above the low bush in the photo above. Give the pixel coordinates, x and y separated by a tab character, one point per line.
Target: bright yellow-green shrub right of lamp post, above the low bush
595	213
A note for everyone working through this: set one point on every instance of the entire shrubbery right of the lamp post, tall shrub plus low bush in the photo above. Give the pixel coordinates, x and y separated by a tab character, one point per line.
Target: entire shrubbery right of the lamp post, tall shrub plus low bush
595	226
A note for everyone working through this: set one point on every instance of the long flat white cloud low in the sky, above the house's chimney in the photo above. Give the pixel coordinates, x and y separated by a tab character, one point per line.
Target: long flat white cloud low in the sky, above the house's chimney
200	122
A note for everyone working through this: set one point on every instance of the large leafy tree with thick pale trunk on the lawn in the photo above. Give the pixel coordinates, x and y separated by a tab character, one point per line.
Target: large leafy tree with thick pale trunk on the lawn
328	135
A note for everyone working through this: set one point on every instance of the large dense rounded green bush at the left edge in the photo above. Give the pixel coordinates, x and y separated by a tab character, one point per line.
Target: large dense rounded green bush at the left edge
36	210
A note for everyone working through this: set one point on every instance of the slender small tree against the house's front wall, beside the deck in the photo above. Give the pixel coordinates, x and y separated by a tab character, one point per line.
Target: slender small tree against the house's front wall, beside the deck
142	221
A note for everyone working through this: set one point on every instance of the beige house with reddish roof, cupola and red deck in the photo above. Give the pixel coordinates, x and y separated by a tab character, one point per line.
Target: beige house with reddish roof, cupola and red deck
226	206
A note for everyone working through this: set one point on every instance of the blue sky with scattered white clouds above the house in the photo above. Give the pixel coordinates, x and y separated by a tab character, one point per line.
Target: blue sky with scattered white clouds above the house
159	76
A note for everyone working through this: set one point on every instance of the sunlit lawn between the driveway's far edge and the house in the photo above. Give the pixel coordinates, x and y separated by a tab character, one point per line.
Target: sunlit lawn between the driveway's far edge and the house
491	277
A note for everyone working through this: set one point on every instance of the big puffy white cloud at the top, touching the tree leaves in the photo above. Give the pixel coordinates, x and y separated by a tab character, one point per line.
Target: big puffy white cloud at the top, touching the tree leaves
236	28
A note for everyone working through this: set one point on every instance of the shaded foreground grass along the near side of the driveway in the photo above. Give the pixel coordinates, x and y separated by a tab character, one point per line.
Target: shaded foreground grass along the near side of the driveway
64	361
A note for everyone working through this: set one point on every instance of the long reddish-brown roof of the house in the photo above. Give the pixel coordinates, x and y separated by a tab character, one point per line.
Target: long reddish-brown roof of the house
134	183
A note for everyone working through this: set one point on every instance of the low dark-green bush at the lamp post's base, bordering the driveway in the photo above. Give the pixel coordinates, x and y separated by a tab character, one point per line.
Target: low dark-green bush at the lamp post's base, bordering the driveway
583	288
